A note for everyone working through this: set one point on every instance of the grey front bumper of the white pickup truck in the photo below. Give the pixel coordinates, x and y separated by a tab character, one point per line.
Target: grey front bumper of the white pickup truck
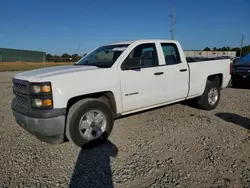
48	126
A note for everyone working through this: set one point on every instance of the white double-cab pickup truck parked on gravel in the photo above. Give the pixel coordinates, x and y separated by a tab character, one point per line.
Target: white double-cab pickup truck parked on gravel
80	102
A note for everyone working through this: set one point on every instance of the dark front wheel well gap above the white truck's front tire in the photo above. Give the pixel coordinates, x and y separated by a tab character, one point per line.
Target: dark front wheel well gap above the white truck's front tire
106	96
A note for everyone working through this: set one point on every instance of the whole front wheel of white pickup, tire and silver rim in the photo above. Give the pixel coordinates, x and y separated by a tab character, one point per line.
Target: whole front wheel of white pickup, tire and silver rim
89	122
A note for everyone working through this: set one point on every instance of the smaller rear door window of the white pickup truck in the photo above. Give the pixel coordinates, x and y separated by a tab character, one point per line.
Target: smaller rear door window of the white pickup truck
171	53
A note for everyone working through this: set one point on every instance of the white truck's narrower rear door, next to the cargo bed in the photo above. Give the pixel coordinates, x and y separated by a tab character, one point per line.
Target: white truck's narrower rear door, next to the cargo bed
176	72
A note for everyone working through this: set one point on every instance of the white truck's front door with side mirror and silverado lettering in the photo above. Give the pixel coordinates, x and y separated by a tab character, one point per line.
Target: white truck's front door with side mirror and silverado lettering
142	87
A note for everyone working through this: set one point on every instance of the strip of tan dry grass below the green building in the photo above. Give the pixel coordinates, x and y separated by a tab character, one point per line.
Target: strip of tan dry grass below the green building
21	66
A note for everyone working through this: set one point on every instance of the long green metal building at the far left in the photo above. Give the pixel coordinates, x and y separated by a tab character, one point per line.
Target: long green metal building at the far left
14	55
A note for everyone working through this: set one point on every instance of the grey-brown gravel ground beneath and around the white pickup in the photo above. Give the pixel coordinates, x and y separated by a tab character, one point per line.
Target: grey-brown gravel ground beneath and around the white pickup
174	146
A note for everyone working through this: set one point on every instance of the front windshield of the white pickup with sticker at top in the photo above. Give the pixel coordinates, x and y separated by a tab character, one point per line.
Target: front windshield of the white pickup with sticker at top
104	56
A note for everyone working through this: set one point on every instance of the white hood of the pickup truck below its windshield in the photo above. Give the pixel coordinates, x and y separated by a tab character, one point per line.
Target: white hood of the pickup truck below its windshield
37	75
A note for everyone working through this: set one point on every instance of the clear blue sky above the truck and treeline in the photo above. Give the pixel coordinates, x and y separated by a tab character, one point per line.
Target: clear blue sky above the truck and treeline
58	26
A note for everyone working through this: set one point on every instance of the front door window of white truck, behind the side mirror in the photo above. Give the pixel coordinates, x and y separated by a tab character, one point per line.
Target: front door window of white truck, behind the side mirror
143	56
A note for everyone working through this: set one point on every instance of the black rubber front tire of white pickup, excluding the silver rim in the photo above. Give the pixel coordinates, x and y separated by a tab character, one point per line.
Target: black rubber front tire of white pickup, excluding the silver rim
77	112
